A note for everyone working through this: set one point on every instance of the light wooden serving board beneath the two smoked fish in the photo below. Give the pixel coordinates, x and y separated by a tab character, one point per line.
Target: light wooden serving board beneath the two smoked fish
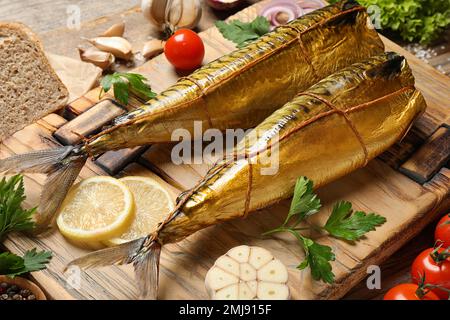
409	185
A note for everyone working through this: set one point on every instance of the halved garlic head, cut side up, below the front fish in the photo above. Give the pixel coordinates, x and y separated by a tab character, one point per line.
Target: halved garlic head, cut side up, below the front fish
247	273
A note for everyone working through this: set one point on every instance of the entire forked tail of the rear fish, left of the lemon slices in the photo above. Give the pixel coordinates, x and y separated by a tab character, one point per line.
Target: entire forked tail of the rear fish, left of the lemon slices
62	165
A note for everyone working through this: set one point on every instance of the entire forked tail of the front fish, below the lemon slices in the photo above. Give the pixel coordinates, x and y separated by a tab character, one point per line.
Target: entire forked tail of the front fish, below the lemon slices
144	253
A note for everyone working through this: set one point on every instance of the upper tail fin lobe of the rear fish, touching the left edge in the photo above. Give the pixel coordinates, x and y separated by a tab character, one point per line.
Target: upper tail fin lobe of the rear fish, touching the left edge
34	162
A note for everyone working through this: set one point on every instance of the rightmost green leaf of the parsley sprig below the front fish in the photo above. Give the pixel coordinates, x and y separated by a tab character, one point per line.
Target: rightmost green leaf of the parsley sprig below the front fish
345	224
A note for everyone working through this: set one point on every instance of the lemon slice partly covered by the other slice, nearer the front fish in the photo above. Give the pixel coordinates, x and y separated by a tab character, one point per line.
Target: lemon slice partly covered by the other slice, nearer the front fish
152	205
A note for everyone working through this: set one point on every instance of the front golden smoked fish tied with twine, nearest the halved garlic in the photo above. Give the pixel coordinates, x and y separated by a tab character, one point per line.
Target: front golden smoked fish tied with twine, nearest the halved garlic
331	129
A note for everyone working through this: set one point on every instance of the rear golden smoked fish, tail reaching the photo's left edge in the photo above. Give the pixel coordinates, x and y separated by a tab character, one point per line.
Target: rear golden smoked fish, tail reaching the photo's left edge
238	90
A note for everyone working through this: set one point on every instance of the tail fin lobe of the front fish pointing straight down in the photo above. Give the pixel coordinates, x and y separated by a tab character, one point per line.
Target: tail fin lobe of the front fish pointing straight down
146	270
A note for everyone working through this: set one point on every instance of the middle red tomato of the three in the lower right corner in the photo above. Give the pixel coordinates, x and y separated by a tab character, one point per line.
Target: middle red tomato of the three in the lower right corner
436	273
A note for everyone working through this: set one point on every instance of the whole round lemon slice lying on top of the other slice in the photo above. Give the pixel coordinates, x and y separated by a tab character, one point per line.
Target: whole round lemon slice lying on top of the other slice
96	209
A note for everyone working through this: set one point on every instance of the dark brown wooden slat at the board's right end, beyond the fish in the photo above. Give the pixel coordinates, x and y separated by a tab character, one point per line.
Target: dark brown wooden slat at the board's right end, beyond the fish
430	158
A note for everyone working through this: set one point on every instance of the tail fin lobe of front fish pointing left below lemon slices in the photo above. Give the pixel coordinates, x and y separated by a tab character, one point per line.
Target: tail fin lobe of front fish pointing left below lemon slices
120	254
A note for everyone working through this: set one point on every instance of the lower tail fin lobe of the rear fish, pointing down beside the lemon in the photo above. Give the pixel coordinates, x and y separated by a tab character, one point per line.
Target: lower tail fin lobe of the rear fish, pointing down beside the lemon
60	179
